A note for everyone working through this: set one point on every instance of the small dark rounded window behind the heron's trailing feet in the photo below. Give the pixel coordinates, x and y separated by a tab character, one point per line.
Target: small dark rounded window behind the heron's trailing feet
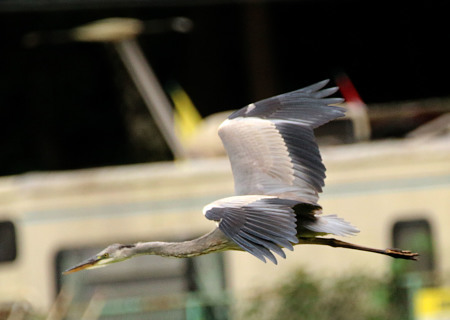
414	235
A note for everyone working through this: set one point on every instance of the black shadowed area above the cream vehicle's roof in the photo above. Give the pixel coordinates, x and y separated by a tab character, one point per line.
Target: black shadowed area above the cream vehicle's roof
68	105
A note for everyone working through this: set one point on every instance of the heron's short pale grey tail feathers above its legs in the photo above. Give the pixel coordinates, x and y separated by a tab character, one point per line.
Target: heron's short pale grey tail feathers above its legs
331	224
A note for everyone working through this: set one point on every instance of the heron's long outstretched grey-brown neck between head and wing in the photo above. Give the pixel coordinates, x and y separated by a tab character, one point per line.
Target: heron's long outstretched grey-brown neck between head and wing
210	242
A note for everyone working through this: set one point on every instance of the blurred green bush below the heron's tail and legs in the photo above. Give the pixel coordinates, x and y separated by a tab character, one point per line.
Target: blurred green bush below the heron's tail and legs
305	296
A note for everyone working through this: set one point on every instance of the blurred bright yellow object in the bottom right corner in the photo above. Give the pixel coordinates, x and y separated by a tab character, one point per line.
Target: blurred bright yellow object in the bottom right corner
432	304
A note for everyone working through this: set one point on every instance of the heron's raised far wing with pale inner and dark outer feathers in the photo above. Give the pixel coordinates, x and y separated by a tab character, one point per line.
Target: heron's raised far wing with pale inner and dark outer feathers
271	143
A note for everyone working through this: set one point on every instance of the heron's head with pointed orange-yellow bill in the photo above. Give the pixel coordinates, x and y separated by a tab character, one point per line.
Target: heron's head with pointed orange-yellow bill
114	253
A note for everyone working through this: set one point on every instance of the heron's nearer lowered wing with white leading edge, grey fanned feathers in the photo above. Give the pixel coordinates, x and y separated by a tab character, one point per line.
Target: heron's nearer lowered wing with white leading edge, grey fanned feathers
258	224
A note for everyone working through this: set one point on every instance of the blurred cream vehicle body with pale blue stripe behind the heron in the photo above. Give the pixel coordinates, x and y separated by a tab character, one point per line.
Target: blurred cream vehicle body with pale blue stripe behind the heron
51	220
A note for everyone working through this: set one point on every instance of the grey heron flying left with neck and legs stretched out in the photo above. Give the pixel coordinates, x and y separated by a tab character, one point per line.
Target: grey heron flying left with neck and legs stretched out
278	174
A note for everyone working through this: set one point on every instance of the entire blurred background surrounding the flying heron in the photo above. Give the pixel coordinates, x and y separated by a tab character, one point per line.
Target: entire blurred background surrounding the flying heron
109	112
